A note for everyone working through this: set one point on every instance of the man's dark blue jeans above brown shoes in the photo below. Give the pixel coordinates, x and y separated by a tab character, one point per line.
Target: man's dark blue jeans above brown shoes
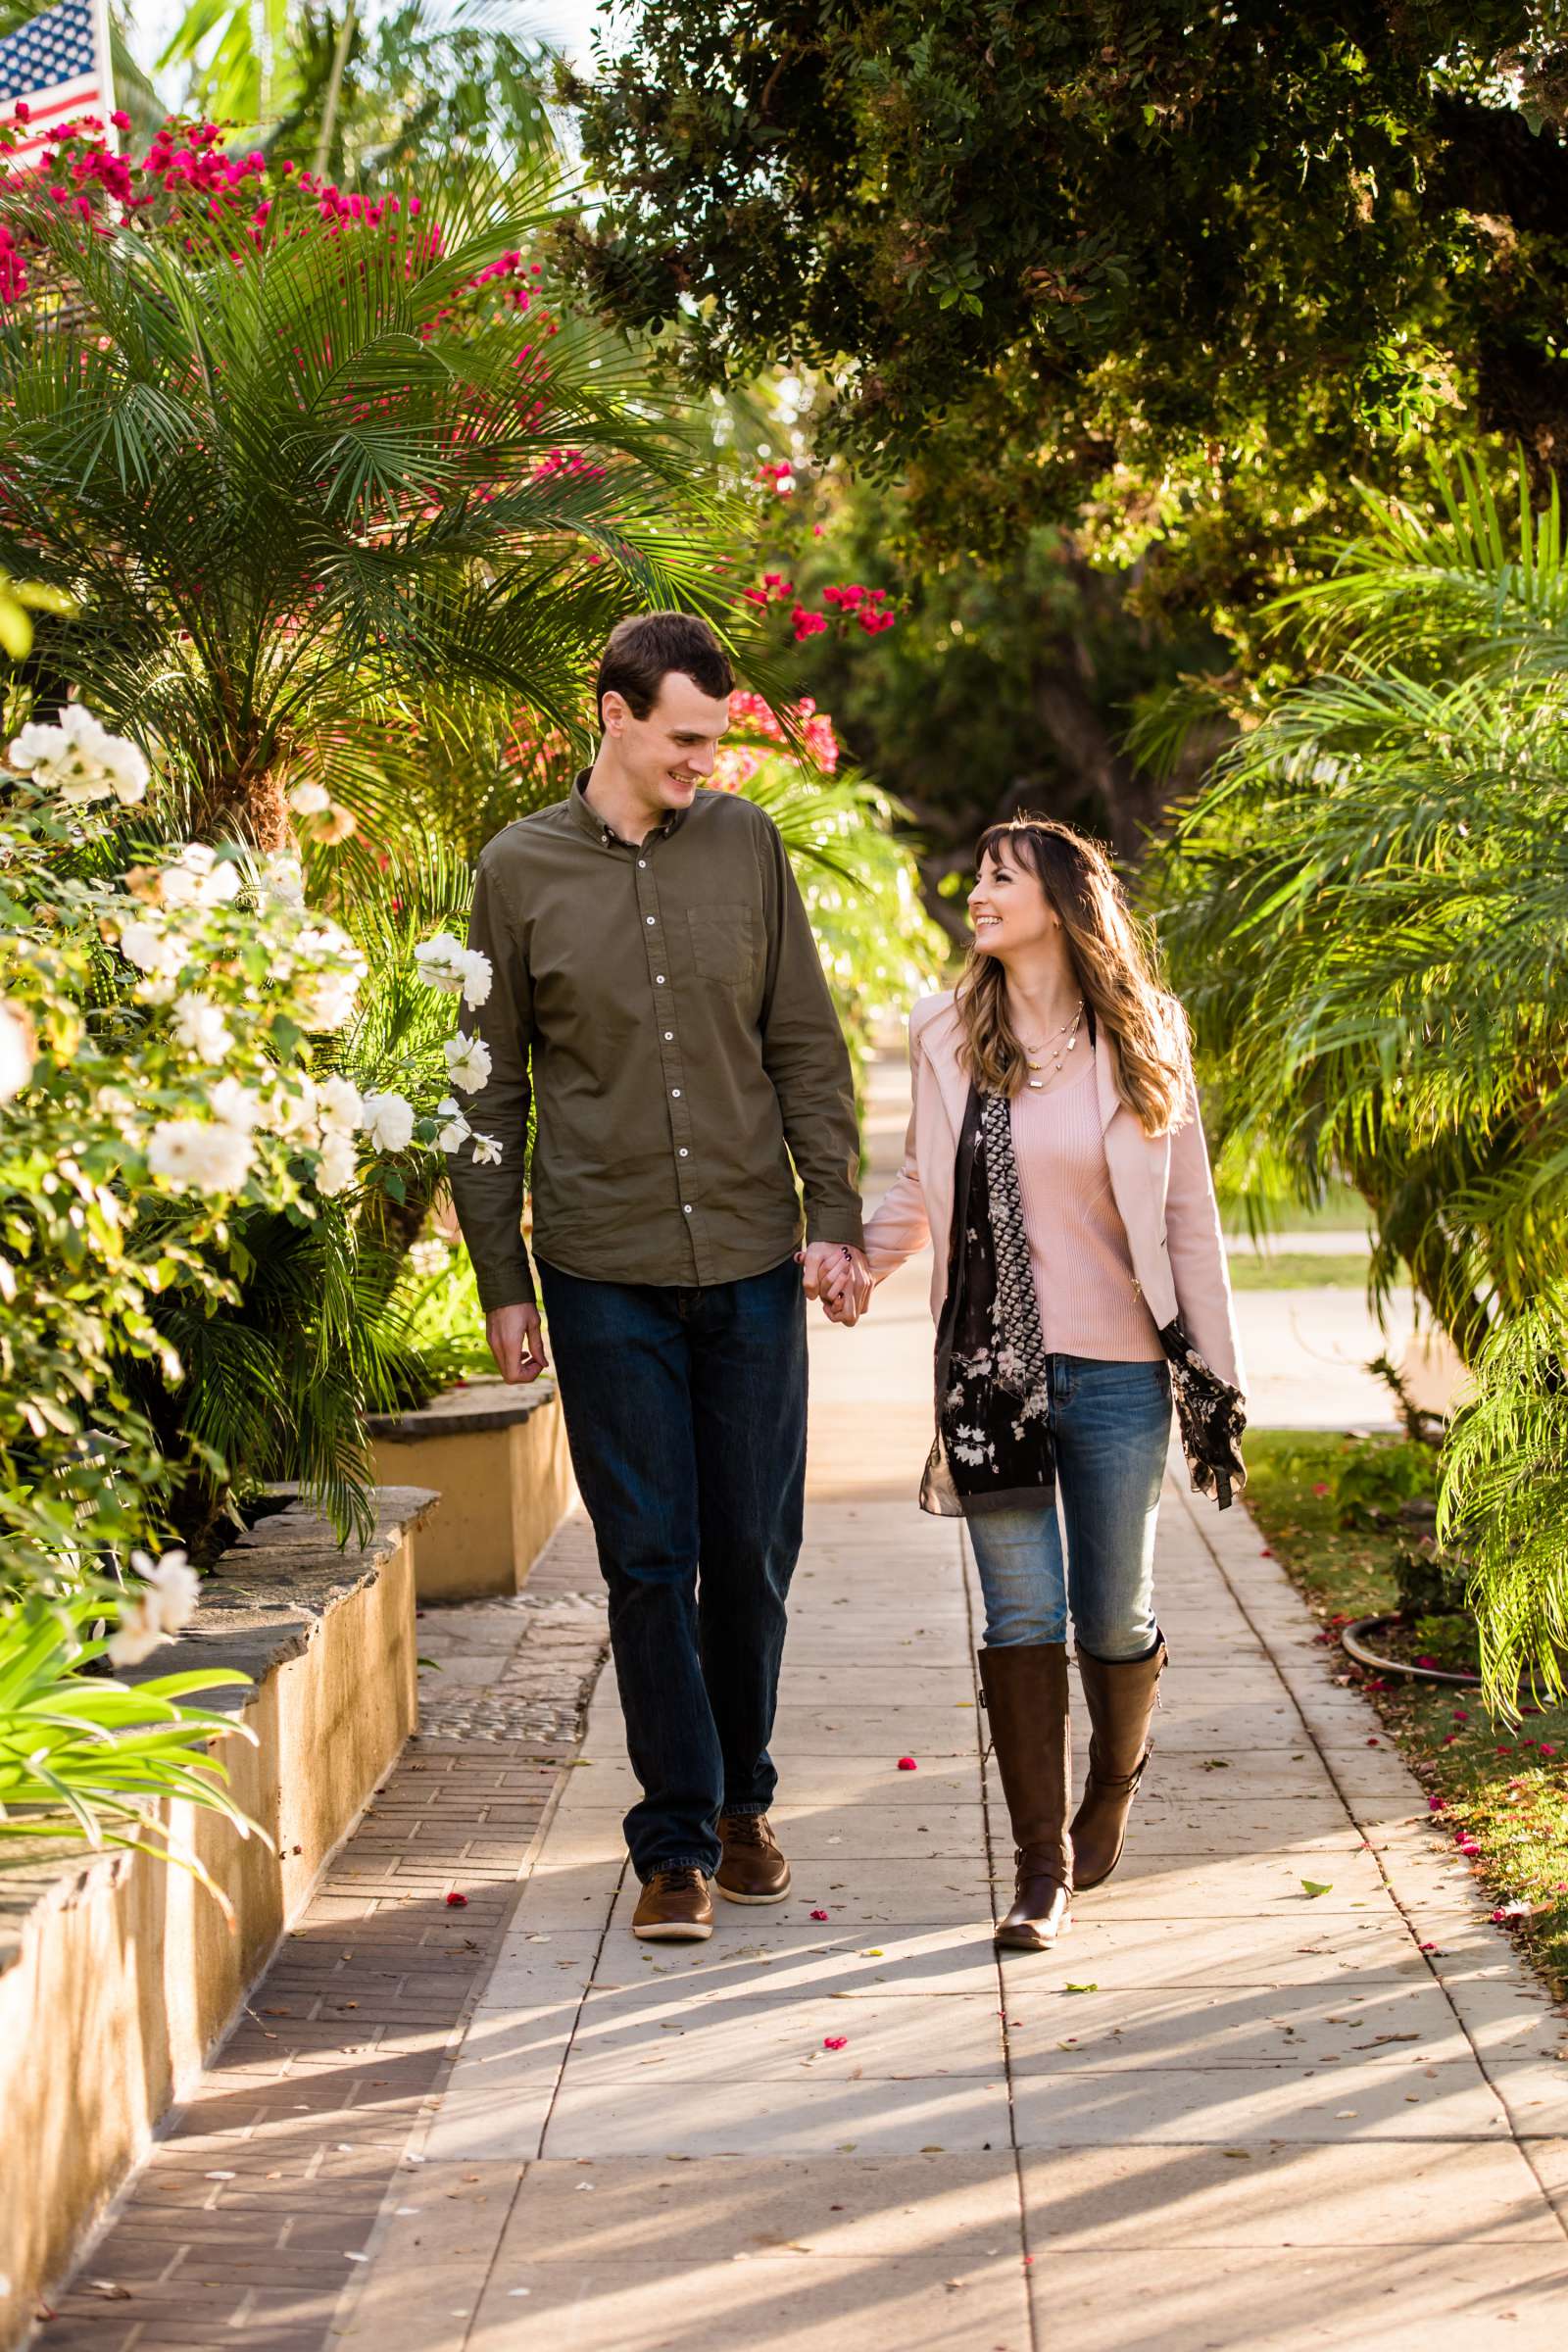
688	1424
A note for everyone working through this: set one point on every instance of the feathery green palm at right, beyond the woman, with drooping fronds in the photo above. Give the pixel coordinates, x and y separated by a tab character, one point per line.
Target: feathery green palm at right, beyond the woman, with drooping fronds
1365	911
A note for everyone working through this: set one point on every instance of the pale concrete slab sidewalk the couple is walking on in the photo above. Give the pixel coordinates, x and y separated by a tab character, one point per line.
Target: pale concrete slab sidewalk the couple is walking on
1224	2113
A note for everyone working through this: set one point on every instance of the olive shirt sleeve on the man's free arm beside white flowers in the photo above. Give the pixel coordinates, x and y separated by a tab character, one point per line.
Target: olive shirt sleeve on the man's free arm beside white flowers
490	1196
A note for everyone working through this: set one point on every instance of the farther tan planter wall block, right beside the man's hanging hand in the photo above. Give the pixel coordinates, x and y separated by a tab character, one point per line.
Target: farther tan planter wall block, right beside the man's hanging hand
497	1457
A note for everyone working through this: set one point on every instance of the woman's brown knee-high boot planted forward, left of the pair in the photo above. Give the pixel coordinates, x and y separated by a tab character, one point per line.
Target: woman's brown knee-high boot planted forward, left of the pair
1026	1702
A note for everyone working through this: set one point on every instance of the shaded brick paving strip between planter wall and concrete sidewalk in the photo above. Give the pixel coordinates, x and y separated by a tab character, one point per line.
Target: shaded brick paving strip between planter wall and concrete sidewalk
267	2191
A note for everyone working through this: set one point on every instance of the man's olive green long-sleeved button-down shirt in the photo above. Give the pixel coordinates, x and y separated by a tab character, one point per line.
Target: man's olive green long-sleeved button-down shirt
666	1010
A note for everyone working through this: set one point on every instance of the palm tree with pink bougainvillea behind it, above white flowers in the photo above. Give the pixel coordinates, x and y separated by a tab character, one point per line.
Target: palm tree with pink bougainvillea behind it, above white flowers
307	476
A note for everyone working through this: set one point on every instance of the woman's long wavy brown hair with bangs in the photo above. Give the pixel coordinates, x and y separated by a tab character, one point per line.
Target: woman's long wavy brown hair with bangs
1113	968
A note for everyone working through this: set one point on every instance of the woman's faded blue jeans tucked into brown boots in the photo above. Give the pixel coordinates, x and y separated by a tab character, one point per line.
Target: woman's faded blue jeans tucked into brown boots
1113	1426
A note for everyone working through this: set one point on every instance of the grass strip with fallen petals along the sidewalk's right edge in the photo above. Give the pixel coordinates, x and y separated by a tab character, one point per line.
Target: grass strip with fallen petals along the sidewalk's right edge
1494	1779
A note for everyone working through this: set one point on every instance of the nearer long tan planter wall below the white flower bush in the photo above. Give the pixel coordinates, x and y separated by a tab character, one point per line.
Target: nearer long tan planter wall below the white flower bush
116	1972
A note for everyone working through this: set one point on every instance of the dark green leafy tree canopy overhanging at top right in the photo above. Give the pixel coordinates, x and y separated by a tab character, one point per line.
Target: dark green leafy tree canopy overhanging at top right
1167	276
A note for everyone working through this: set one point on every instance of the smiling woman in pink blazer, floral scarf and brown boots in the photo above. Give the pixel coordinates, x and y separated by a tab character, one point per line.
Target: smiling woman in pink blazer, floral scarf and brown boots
1057	1161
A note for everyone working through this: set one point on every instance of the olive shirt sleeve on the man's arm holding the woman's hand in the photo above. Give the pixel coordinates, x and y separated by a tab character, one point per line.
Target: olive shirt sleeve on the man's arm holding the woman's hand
805	1055
